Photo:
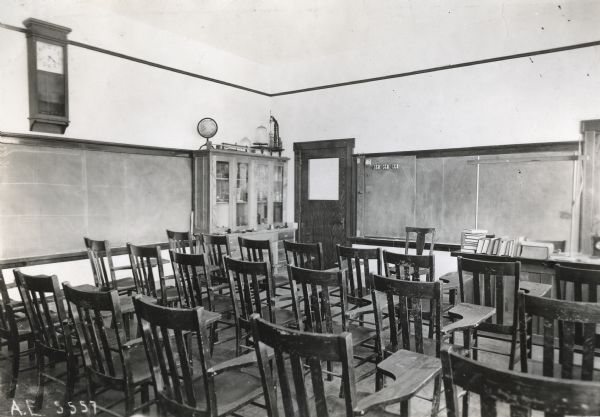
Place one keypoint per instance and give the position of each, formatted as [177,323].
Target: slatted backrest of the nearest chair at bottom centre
[294,351]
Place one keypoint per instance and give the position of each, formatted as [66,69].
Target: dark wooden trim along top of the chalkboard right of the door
[566,146]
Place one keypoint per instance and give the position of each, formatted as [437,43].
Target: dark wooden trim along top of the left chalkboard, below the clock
[90,145]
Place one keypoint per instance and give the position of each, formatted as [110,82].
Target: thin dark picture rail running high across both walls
[326,86]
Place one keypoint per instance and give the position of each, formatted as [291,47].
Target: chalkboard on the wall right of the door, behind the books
[509,194]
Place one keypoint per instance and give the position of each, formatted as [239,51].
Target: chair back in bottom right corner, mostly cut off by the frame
[556,397]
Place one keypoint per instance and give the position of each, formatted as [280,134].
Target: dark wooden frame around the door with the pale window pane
[348,145]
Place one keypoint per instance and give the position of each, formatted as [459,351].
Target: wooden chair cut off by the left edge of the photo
[14,330]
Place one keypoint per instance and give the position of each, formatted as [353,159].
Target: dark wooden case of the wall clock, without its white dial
[41,120]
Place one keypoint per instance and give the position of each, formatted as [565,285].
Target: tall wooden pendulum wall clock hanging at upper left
[48,76]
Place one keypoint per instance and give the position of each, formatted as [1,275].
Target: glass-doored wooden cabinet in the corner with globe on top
[241,193]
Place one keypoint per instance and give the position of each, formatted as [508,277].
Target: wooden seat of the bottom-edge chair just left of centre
[233,389]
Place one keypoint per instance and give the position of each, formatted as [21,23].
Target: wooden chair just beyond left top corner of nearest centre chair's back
[248,296]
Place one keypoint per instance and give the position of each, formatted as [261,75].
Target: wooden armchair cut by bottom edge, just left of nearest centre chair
[186,380]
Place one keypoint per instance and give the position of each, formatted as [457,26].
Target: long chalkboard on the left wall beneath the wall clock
[51,197]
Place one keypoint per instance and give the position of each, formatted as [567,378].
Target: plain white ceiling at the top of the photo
[273,32]
